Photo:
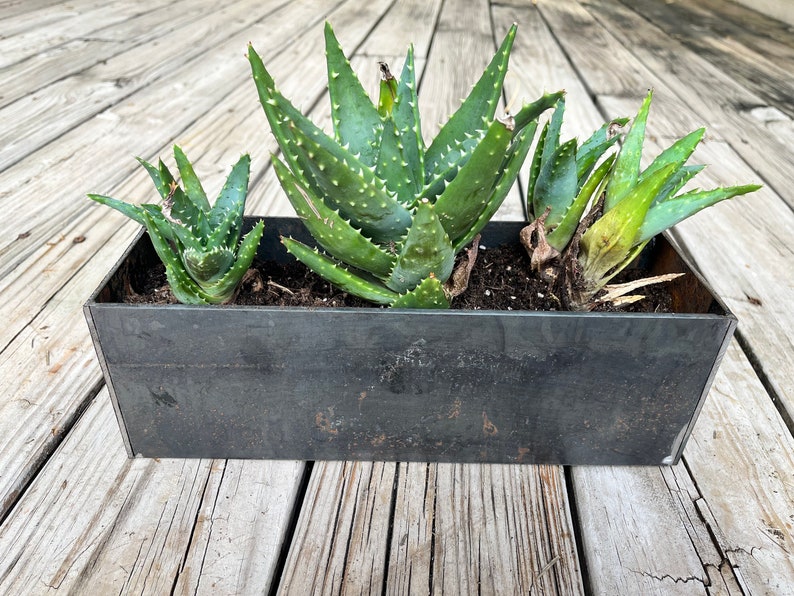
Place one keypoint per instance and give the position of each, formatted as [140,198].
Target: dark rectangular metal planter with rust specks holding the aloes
[401,385]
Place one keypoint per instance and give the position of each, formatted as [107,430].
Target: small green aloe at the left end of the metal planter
[200,246]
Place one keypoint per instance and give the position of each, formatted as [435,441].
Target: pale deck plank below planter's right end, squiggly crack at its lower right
[634,532]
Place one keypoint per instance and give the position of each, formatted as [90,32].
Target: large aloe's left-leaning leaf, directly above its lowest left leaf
[331,230]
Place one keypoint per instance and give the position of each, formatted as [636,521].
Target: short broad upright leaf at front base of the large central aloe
[426,250]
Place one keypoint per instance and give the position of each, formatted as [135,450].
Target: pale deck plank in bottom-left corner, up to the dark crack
[91,483]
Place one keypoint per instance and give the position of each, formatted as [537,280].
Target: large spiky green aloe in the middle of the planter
[388,212]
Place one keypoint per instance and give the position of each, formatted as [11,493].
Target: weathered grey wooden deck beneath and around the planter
[88,84]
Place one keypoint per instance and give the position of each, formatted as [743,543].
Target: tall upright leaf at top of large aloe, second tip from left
[356,121]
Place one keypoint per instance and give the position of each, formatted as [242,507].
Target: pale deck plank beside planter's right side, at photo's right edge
[740,441]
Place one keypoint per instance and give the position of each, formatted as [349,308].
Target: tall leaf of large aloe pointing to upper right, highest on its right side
[479,106]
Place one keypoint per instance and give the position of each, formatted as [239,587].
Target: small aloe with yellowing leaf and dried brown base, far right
[628,207]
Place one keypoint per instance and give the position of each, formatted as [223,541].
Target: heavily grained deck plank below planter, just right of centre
[501,530]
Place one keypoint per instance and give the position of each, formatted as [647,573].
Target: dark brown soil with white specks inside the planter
[500,281]
